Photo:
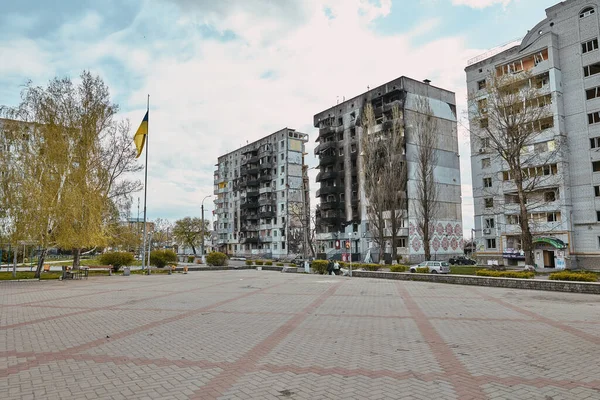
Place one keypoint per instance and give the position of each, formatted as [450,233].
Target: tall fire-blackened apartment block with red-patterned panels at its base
[341,215]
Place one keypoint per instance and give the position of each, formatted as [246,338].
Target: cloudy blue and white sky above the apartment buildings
[223,72]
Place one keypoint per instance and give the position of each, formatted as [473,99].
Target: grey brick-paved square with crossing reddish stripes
[266,335]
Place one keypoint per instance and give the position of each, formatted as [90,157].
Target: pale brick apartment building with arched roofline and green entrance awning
[560,57]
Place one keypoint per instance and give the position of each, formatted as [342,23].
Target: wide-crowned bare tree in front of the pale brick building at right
[509,118]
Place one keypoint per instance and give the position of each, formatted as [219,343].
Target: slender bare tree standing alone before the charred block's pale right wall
[424,136]
